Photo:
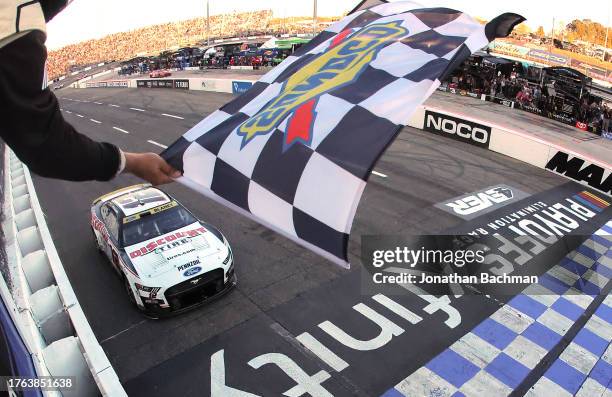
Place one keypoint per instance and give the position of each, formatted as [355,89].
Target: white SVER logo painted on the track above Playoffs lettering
[471,205]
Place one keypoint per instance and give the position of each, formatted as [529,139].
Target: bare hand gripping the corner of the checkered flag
[150,167]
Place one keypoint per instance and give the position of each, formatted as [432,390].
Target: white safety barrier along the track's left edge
[42,302]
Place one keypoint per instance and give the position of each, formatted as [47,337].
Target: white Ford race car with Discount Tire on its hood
[169,261]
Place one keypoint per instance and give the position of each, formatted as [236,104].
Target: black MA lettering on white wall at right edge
[582,171]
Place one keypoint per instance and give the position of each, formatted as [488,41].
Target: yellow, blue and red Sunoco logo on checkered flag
[347,56]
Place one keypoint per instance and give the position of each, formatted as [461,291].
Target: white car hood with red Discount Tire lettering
[174,254]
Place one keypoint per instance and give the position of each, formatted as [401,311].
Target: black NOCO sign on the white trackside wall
[458,129]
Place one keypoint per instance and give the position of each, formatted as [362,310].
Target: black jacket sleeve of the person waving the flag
[33,126]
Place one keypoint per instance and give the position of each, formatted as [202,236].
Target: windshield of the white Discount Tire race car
[154,225]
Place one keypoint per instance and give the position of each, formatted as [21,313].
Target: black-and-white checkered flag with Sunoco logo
[294,152]
